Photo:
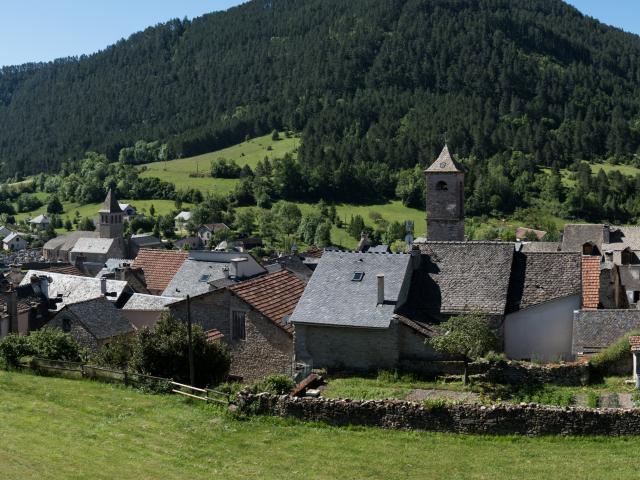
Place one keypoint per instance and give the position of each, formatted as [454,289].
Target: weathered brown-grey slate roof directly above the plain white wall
[539,277]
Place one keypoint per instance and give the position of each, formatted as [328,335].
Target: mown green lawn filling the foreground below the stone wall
[68,429]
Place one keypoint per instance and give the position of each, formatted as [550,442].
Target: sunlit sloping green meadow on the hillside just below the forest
[245,153]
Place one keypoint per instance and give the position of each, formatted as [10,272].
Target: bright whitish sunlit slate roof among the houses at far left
[73,289]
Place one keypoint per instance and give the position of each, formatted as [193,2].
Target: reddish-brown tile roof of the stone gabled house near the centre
[274,295]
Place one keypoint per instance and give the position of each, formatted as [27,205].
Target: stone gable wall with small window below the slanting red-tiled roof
[266,348]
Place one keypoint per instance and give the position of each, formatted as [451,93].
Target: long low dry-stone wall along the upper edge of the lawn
[500,419]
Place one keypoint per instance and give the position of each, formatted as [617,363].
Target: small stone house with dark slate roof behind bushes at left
[93,323]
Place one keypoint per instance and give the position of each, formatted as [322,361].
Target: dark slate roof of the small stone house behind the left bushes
[101,318]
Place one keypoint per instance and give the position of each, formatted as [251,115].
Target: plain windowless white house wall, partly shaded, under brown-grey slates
[543,332]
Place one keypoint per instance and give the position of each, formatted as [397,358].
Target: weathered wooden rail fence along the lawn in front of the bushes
[94,372]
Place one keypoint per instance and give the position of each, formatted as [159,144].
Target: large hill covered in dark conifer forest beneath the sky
[366,81]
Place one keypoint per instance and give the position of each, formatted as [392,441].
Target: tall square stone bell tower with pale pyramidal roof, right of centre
[445,199]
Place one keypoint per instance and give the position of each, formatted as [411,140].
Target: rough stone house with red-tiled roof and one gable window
[252,318]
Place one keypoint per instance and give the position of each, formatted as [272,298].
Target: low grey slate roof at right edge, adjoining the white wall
[594,330]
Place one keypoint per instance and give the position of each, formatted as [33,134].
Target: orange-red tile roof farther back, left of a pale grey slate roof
[159,266]
